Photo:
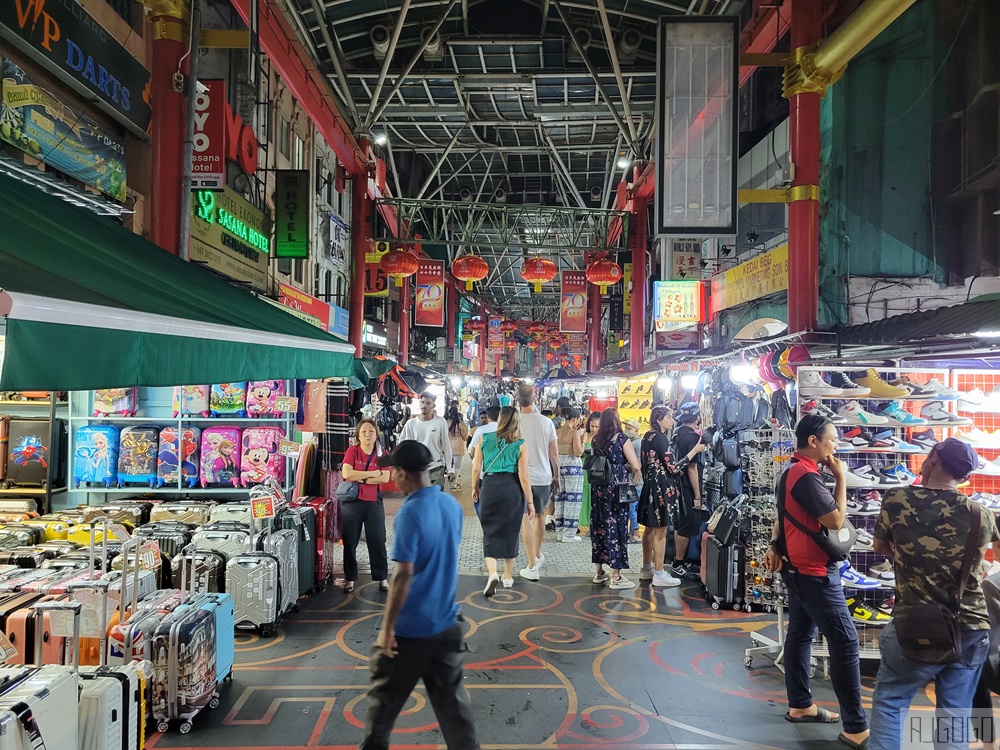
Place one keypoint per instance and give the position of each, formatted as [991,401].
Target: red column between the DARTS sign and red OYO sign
[171,25]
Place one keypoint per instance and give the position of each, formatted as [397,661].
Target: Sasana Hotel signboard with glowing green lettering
[230,236]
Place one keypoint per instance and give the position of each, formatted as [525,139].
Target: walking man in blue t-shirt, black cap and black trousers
[421,638]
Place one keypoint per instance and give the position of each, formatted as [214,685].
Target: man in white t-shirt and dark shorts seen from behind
[543,474]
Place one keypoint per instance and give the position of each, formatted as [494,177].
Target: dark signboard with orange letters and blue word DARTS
[62,37]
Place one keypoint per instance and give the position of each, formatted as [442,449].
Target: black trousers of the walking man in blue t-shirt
[438,661]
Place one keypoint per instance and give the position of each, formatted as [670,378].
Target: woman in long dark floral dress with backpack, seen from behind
[610,496]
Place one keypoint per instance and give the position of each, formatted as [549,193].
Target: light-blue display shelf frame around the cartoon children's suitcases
[155,408]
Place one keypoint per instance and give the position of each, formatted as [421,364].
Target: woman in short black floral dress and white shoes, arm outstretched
[659,502]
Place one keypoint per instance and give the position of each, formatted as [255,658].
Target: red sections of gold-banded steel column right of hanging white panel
[803,215]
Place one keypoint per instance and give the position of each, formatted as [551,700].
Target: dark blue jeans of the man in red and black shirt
[817,603]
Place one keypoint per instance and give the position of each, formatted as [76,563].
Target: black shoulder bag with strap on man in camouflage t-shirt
[930,633]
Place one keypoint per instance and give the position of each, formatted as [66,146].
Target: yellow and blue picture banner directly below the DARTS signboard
[33,120]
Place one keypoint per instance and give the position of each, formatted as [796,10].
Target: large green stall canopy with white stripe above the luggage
[89,304]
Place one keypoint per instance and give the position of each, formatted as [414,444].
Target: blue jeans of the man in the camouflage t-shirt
[899,679]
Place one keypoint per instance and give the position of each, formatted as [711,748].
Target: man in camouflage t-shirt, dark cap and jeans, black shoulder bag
[940,630]
